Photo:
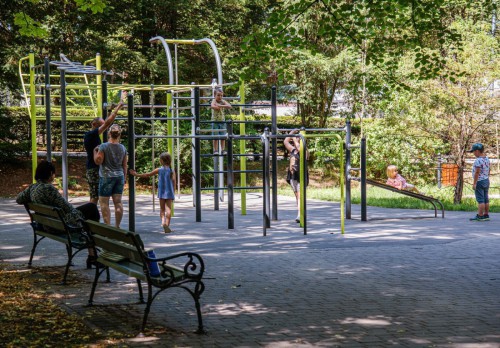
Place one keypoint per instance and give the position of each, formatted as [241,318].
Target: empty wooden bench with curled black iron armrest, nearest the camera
[124,252]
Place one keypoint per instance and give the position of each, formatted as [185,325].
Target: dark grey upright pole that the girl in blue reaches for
[131,160]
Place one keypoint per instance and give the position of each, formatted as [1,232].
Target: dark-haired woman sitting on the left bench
[43,192]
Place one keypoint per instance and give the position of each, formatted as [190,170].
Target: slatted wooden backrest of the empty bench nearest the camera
[121,242]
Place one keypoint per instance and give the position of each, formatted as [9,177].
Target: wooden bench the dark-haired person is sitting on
[48,222]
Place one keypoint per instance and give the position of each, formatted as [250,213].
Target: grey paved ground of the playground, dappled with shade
[402,279]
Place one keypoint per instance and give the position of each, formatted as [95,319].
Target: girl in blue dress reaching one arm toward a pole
[166,188]
